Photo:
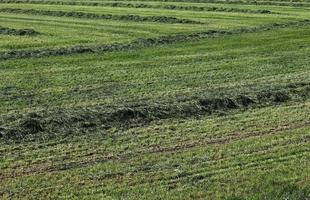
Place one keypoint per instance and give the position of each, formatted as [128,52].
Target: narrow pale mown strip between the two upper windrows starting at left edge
[203,17]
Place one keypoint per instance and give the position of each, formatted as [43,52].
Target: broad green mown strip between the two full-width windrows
[50,80]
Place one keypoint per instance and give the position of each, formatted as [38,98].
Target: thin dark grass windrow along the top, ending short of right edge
[142,5]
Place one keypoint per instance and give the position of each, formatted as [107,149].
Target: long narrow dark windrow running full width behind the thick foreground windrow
[142,43]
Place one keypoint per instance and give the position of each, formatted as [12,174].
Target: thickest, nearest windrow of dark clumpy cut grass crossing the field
[63,122]
